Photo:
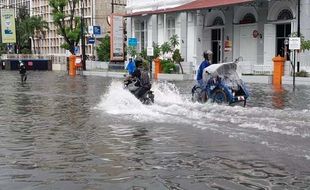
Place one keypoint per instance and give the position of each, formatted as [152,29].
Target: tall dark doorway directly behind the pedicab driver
[216,42]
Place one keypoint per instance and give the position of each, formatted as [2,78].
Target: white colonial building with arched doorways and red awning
[255,30]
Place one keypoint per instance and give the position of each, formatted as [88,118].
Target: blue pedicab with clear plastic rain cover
[221,85]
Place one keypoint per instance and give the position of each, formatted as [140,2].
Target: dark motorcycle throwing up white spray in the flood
[132,84]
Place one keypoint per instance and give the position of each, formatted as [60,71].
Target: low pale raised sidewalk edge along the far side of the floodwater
[261,79]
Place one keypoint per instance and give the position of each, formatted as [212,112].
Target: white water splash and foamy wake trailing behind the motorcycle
[265,126]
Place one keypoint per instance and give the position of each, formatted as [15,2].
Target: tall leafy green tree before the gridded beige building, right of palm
[69,25]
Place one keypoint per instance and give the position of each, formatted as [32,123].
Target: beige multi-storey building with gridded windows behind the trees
[96,13]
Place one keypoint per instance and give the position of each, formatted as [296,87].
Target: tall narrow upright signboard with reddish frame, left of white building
[117,38]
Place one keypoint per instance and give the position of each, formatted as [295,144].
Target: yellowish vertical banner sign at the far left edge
[8,26]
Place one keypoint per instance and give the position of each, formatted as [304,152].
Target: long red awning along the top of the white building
[194,5]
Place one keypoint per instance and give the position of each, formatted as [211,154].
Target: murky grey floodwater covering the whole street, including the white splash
[88,133]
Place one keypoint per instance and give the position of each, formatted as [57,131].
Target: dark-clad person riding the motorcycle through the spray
[143,79]
